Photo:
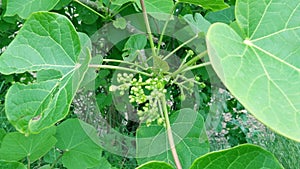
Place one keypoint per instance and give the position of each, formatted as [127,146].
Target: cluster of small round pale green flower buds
[147,93]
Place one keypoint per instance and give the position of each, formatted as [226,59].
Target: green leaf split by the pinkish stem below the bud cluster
[189,137]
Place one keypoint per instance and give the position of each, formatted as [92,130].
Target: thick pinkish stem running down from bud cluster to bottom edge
[169,133]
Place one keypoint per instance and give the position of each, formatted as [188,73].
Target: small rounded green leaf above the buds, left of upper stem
[133,45]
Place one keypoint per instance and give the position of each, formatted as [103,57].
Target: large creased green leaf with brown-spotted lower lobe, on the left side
[48,44]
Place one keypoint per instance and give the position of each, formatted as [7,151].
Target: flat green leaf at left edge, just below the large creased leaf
[16,146]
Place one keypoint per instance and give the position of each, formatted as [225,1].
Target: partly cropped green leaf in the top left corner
[25,8]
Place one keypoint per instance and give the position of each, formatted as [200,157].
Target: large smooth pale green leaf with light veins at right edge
[262,68]
